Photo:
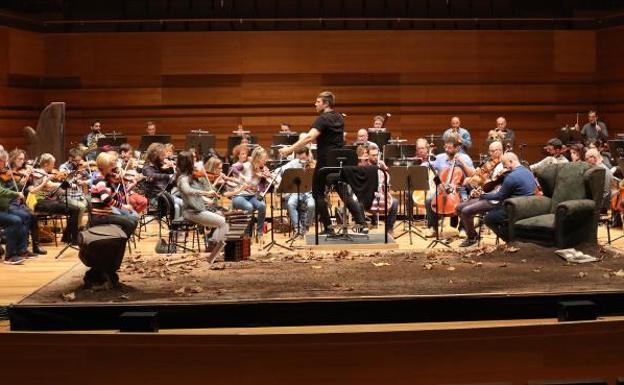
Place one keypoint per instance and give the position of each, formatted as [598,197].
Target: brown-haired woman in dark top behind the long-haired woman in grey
[159,178]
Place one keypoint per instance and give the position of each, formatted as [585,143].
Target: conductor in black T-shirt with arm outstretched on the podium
[328,132]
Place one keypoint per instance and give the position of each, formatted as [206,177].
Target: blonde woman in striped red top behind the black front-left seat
[105,198]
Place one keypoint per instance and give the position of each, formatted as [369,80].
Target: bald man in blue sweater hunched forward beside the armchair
[518,182]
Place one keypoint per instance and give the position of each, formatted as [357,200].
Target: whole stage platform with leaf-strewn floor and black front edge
[304,287]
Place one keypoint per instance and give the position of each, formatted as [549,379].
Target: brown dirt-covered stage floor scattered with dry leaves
[186,278]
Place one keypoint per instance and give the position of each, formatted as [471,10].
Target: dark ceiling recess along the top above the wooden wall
[245,15]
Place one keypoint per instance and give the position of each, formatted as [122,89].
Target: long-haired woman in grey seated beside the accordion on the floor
[194,209]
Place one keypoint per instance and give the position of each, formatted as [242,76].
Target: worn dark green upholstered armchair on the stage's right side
[567,214]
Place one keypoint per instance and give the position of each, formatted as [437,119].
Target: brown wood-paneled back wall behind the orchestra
[216,80]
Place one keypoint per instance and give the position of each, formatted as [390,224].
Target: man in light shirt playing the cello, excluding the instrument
[462,164]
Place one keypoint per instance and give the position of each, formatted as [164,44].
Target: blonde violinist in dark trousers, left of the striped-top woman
[50,197]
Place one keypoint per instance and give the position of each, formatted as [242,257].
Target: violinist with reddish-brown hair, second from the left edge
[21,175]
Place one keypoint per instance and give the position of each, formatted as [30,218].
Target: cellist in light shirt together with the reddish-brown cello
[451,167]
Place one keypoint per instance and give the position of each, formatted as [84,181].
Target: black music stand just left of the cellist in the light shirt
[410,179]
